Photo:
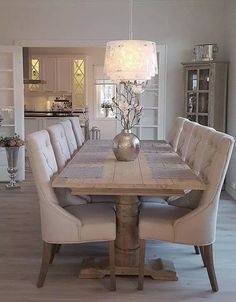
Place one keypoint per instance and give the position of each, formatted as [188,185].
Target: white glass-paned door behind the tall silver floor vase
[11,104]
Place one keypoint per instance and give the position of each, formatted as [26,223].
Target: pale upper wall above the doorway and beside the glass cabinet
[180,24]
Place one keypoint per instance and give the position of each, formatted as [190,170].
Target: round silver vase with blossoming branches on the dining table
[127,109]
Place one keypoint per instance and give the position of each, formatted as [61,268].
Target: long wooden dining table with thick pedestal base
[157,171]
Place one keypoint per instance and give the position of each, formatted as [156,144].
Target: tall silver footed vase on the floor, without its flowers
[12,159]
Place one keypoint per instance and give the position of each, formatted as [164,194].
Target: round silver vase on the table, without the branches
[126,146]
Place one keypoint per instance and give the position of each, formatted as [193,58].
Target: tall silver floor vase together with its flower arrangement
[12,145]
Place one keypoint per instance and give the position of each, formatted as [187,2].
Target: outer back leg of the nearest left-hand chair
[47,252]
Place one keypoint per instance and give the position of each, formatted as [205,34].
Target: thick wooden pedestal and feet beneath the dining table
[127,248]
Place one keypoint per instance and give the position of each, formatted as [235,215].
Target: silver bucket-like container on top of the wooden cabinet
[205,52]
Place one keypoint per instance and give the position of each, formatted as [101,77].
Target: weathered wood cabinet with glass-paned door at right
[205,93]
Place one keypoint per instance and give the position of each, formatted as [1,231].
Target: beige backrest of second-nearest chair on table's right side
[197,146]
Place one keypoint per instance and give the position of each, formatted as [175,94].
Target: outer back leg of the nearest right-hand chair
[208,256]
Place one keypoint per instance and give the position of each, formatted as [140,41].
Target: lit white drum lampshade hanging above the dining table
[130,60]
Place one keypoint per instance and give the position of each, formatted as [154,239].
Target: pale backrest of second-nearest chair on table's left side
[59,144]
